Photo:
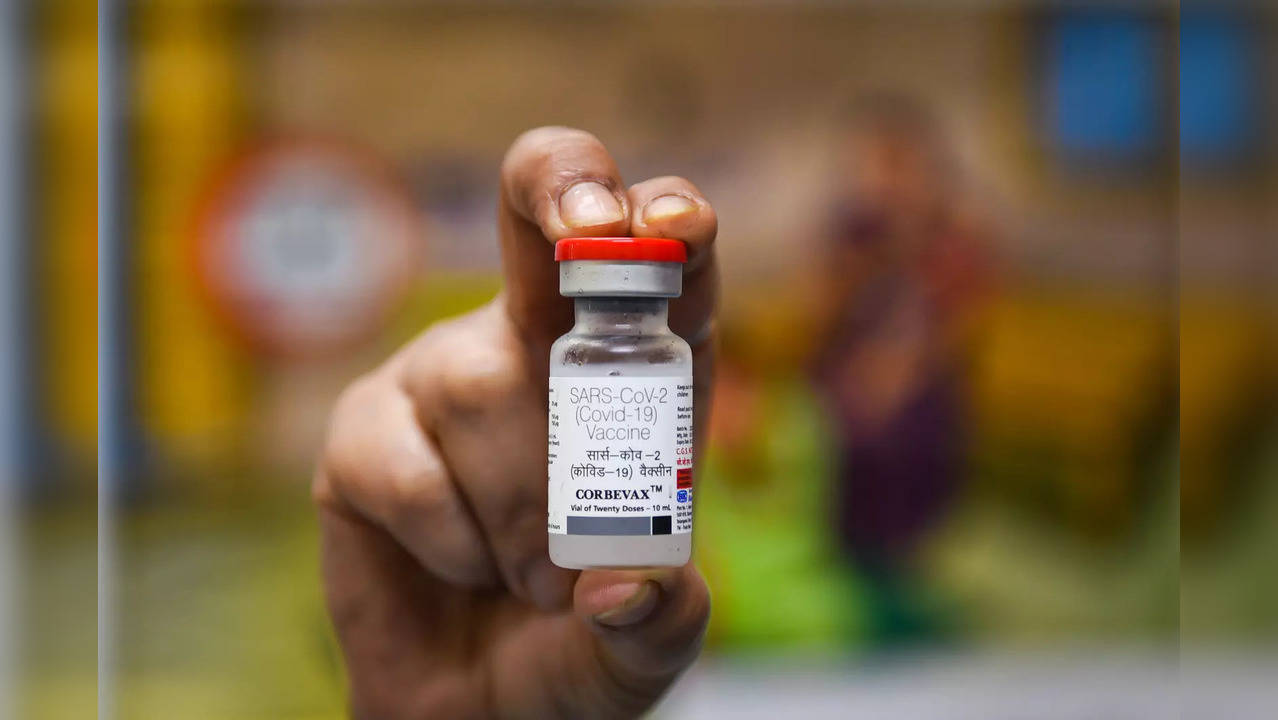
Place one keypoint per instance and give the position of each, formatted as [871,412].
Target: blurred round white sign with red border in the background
[306,247]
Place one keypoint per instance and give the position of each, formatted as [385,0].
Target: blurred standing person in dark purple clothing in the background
[903,273]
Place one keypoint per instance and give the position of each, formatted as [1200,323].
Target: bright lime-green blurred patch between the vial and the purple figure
[766,545]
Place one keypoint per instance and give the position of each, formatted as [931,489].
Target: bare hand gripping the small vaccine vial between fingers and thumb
[431,488]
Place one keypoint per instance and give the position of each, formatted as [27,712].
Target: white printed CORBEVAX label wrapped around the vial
[620,456]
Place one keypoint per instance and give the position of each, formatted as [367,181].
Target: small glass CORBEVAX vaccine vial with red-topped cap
[620,447]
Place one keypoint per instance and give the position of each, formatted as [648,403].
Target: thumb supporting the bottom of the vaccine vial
[647,626]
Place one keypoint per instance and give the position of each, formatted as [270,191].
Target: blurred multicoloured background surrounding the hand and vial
[995,429]
